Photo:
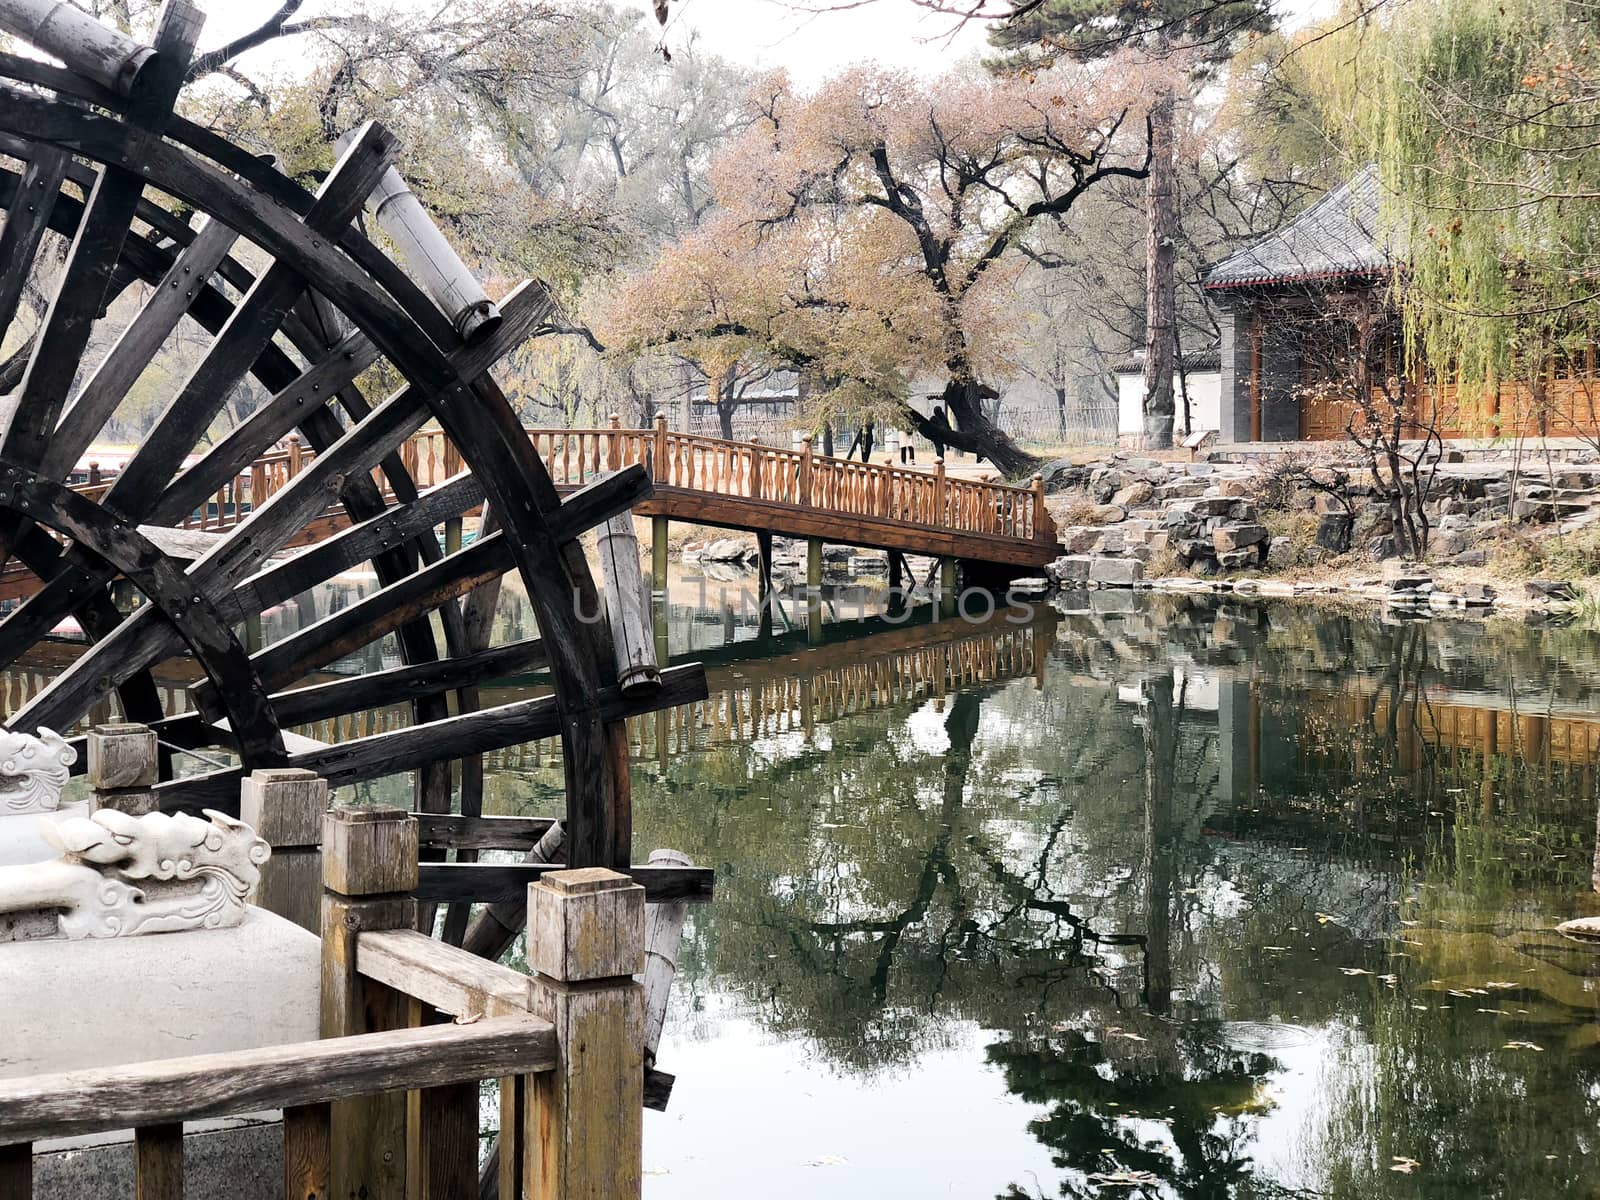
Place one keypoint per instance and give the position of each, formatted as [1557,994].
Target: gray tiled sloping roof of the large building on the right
[1337,236]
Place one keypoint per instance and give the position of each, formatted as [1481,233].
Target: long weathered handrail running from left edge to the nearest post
[76,1103]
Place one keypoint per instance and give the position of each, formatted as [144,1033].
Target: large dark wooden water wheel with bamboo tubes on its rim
[153,202]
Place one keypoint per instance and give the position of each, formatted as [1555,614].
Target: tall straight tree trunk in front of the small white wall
[1161,281]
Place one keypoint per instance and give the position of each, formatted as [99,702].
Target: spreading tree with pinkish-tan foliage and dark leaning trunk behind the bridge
[881,222]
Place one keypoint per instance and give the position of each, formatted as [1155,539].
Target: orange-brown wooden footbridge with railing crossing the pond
[702,481]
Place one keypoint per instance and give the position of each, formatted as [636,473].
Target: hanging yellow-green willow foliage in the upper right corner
[1484,127]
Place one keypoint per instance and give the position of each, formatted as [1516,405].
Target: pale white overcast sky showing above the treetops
[762,33]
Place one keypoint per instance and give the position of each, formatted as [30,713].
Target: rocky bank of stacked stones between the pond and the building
[1298,526]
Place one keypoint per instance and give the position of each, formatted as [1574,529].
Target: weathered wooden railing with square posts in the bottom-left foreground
[386,1106]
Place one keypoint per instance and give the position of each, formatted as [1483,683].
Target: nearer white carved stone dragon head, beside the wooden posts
[122,876]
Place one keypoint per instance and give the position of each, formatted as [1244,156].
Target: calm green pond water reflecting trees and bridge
[1143,898]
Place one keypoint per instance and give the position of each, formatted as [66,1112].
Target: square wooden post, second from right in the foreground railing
[370,865]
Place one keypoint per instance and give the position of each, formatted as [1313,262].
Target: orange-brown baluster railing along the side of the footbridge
[730,470]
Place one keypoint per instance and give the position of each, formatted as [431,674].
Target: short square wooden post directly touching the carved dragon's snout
[287,807]
